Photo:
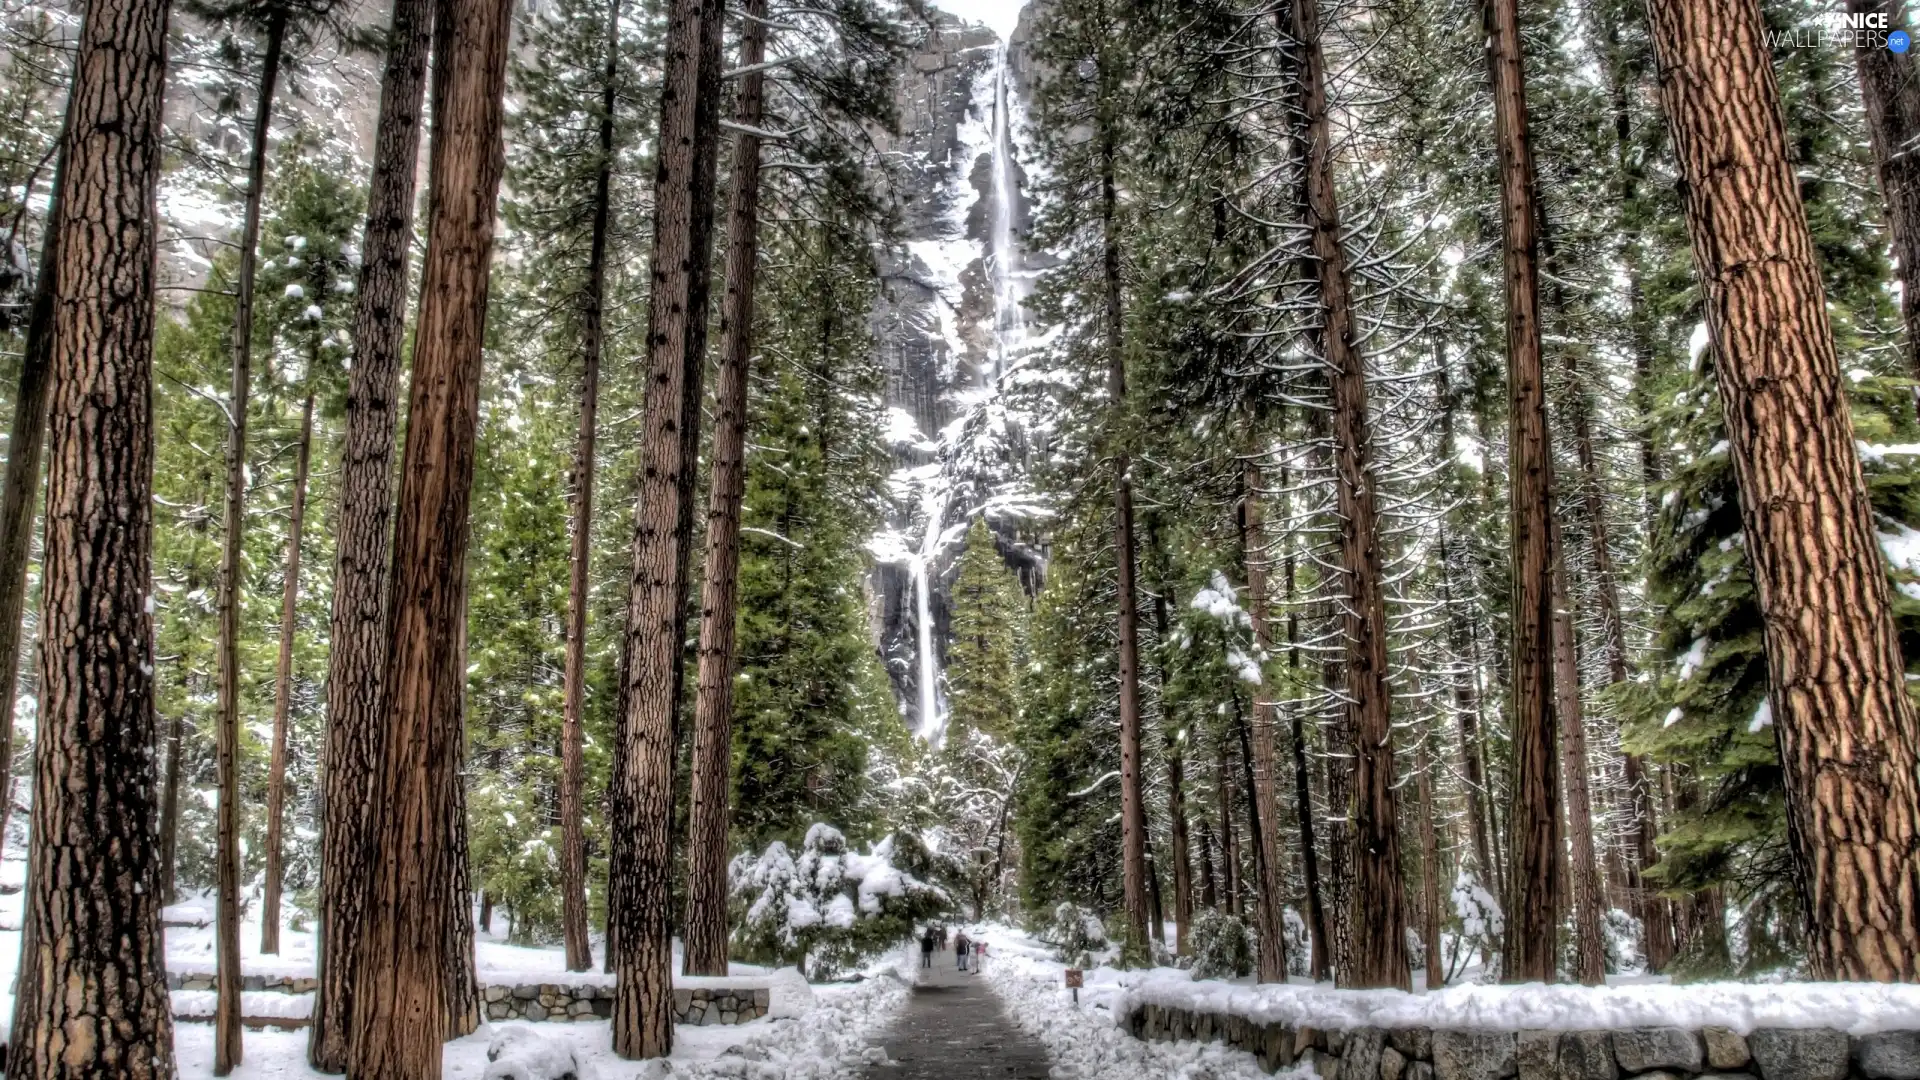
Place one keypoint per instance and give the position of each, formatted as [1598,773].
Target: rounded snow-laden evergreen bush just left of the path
[830,908]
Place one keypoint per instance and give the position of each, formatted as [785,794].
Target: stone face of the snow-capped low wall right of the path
[1643,1054]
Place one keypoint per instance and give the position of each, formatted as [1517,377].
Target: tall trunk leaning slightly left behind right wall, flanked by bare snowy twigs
[1378,918]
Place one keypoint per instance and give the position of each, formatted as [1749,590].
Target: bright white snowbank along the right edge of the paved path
[1086,1041]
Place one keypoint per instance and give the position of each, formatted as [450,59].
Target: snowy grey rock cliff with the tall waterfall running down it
[953,337]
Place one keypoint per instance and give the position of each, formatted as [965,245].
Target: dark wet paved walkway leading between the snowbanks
[955,1029]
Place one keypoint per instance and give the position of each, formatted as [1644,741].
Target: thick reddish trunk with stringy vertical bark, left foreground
[412,985]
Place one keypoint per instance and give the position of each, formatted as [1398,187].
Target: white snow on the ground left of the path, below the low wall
[832,1041]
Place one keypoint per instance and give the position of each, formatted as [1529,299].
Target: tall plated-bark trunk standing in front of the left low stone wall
[677,318]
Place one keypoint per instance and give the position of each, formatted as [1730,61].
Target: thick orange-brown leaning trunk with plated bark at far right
[1836,679]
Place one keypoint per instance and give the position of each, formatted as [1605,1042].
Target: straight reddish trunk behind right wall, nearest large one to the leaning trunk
[1535,827]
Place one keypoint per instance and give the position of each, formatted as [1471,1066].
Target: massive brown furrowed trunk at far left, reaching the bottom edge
[91,994]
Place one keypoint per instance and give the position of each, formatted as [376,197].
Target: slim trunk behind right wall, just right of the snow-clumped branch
[1270,920]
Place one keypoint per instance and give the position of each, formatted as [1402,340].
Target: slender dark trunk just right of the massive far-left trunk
[228,1048]
